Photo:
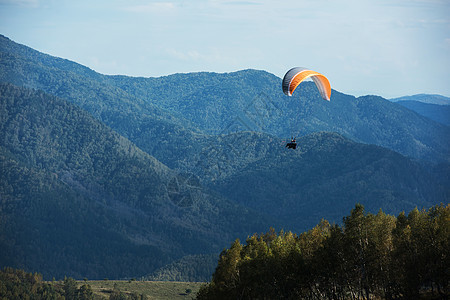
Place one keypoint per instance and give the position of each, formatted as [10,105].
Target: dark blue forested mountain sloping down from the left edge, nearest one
[78,199]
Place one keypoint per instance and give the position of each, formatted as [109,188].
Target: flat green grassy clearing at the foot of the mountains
[160,290]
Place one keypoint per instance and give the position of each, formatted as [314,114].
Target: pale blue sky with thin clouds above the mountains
[389,48]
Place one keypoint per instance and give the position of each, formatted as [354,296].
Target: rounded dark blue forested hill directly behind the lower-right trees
[323,178]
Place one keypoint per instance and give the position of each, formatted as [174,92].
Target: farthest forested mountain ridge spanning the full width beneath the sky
[185,107]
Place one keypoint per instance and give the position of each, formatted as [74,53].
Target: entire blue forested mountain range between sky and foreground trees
[116,176]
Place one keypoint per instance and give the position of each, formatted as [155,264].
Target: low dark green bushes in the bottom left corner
[18,284]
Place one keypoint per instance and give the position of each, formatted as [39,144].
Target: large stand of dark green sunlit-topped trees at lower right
[369,257]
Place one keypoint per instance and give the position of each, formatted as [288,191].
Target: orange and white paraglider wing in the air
[295,76]
